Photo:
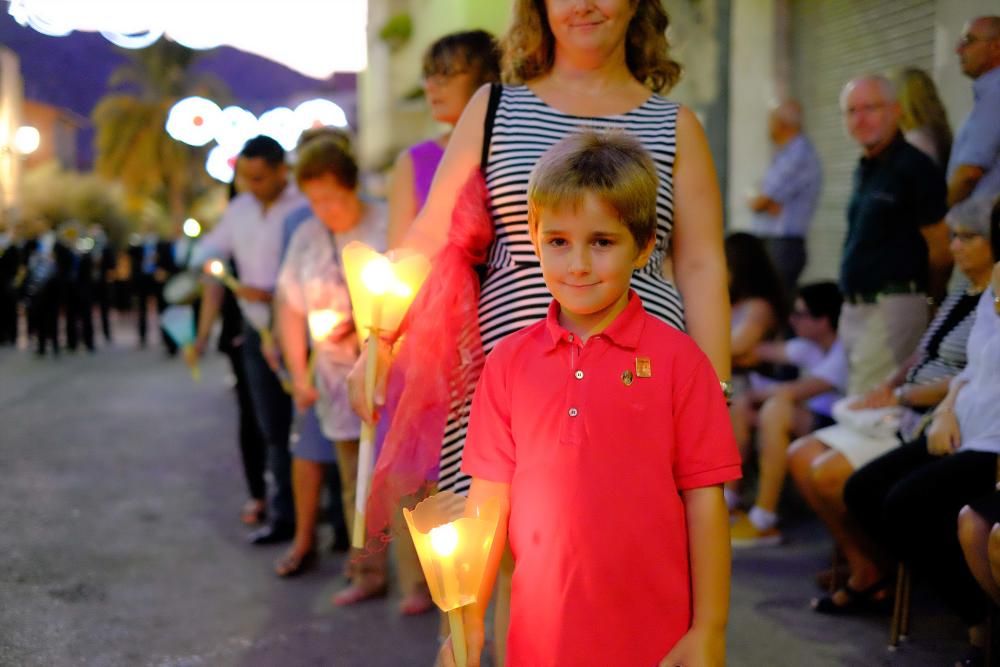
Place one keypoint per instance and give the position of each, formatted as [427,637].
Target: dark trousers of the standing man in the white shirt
[273,408]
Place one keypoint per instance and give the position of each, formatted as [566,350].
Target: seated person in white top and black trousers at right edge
[907,501]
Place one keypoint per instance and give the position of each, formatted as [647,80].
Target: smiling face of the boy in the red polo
[587,258]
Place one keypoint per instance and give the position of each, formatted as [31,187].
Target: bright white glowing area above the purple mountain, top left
[332,38]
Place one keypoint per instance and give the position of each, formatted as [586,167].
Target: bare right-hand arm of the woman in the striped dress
[698,260]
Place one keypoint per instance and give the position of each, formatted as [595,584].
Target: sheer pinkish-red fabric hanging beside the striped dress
[442,339]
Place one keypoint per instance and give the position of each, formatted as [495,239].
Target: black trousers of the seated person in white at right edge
[908,501]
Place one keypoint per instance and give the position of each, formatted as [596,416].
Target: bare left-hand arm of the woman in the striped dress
[429,231]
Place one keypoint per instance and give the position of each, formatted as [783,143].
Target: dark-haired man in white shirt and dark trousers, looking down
[250,233]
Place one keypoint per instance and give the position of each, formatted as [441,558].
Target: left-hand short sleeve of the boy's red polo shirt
[489,452]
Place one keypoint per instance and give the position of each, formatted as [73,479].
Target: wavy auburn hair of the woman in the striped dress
[529,46]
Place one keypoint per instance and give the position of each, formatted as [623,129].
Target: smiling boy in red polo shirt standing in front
[605,434]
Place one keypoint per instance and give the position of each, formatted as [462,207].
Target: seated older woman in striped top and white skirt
[821,463]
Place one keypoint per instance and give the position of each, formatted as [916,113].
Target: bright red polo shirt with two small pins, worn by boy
[595,463]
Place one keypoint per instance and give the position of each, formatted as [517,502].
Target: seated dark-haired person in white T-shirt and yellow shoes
[783,410]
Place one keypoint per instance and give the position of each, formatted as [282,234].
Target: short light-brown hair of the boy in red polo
[612,166]
